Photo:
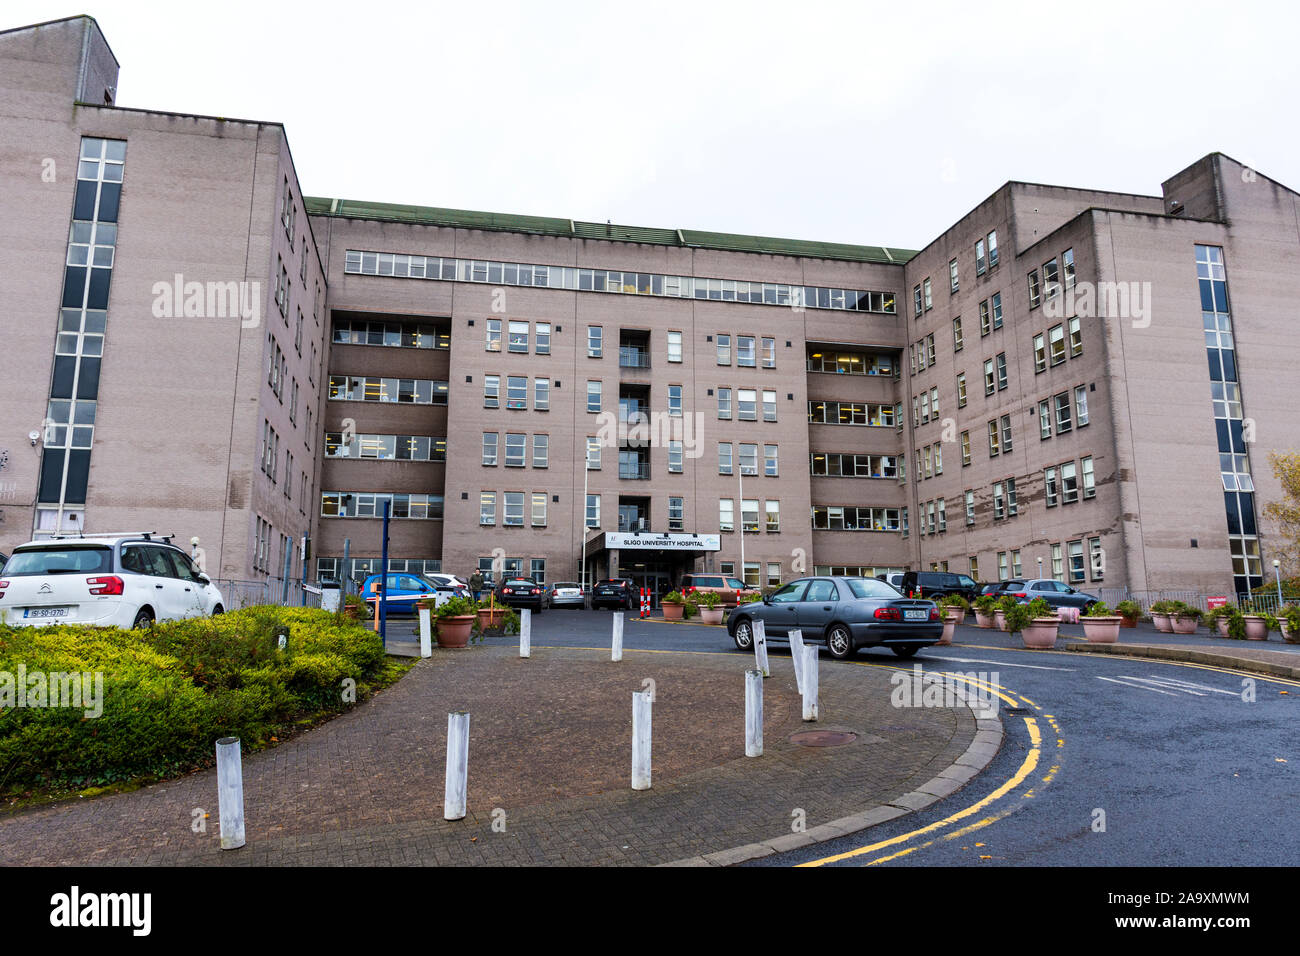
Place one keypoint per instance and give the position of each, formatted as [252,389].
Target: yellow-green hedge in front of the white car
[172,691]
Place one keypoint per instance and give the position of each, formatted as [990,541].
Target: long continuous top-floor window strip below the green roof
[605,282]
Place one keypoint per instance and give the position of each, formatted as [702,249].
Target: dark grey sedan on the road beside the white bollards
[843,613]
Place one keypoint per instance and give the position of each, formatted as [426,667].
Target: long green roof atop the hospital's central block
[612,232]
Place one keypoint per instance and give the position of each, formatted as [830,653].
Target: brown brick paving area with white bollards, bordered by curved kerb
[551,751]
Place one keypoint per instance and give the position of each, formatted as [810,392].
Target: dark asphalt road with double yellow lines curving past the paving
[1107,762]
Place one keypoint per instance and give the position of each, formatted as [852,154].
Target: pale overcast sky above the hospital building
[853,123]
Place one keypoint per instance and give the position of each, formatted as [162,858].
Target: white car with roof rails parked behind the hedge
[109,581]
